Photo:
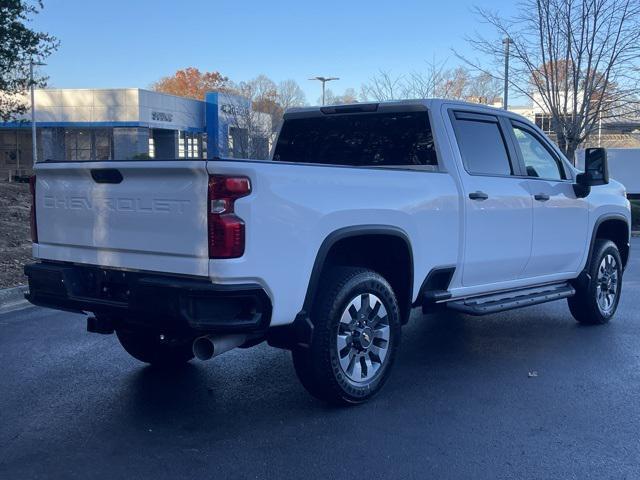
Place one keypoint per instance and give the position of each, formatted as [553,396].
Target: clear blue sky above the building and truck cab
[133,43]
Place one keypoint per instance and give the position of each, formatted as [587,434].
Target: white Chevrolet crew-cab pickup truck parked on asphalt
[364,212]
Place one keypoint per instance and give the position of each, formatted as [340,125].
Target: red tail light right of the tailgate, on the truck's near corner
[226,229]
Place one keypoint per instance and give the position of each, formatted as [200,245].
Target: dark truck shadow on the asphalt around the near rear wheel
[450,354]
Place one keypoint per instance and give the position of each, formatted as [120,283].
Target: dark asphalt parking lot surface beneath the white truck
[464,401]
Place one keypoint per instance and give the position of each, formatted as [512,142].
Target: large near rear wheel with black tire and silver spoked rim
[319,367]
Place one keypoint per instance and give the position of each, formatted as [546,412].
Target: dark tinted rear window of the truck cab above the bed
[385,139]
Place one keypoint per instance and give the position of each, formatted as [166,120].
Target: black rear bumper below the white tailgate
[149,299]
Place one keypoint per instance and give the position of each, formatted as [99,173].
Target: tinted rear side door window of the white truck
[482,144]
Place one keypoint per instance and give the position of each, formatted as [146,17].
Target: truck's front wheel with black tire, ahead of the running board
[585,305]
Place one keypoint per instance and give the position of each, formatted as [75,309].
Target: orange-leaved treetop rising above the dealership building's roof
[192,83]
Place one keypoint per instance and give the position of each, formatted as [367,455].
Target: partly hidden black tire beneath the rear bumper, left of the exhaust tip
[149,348]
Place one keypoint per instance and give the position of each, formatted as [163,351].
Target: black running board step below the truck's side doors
[499,302]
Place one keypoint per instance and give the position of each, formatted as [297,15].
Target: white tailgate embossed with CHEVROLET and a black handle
[142,215]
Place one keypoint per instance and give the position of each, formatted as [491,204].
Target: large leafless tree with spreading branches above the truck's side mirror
[576,60]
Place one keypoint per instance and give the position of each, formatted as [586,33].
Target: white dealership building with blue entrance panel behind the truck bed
[133,124]
